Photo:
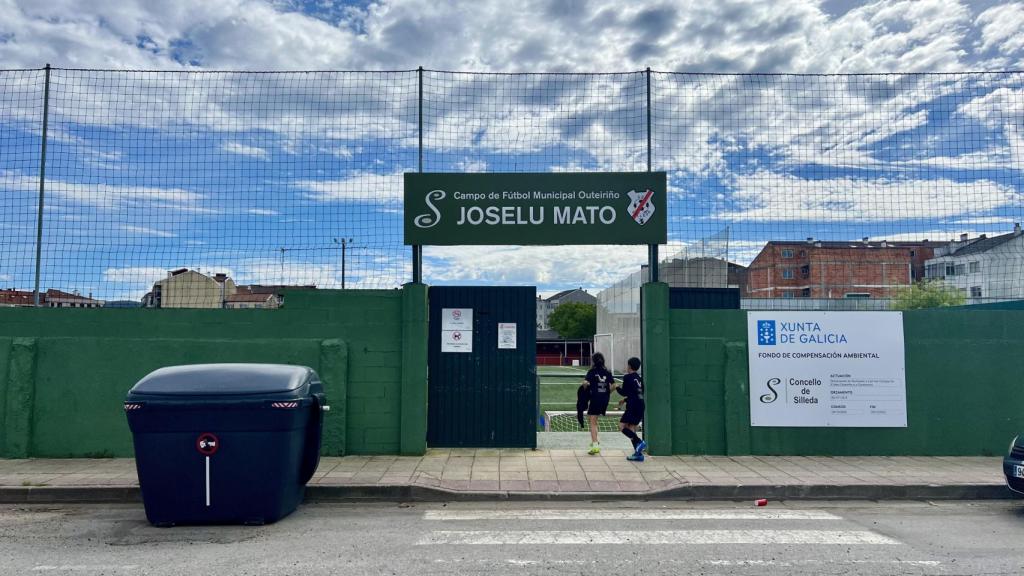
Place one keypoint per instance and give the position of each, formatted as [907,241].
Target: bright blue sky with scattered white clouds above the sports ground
[262,176]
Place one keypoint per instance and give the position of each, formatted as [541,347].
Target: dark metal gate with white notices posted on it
[486,398]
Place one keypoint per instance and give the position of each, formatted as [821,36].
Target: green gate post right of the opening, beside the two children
[657,367]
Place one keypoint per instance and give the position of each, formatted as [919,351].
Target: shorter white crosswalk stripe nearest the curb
[621,514]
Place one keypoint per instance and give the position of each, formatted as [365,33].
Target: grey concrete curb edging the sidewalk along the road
[415,493]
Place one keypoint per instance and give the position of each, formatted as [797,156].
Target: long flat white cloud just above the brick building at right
[766,196]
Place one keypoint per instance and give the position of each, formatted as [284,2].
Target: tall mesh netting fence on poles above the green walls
[220,189]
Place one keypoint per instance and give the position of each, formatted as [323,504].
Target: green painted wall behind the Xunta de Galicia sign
[965,379]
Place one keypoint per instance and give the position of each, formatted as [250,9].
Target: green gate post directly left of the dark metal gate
[414,369]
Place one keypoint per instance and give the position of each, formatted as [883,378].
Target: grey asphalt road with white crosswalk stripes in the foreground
[848,539]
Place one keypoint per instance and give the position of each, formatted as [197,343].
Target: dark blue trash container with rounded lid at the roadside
[226,443]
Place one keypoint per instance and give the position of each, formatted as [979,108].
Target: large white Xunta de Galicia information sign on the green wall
[827,369]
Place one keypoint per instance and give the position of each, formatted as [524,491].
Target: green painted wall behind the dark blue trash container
[65,373]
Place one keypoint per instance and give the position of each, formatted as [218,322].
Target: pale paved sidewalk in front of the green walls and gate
[514,474]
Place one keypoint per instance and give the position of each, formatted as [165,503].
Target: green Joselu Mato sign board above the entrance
[447,210]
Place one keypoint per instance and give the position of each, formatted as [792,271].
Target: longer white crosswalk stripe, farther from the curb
[488,538]
